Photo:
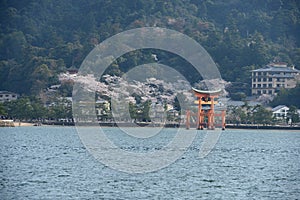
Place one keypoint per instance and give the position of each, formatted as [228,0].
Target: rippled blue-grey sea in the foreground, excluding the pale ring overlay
[52,163]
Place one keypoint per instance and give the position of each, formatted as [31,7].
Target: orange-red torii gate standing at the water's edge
[206,98]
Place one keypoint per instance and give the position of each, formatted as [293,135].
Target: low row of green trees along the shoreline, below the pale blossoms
[33,109]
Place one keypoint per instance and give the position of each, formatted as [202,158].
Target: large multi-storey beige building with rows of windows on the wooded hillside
[271,78]
